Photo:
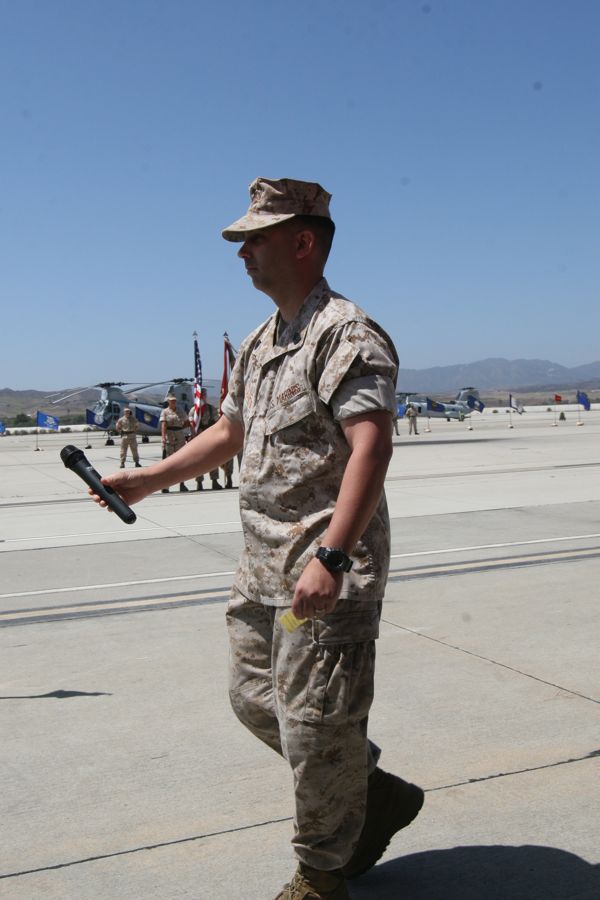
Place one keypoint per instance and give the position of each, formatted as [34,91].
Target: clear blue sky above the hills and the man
[460,140]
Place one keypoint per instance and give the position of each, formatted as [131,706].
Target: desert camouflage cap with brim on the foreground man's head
[275,200]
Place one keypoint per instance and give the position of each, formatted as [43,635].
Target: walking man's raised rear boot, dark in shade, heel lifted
[392,804]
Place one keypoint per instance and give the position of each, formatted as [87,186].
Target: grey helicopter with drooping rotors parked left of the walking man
[113,400]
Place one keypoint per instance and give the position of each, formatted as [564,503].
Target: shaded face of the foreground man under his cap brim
[270,258]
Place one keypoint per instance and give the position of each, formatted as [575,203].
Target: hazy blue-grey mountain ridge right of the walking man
[500,374]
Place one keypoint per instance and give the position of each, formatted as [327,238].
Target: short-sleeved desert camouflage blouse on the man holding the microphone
[290,388]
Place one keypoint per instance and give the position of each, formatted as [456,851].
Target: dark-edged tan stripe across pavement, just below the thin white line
[220,595]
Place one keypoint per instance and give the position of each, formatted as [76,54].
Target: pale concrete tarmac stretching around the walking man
[125,774]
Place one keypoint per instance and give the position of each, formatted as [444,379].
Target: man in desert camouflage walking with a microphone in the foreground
[311,400]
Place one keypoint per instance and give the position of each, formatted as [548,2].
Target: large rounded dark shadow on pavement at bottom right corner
[482,873]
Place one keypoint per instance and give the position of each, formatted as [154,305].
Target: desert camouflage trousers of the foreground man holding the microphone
[307,695]
